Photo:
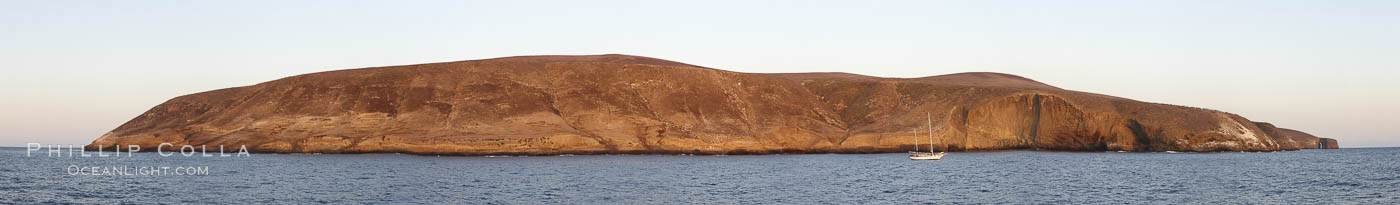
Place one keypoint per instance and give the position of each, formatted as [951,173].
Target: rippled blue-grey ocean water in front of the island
[1345,176]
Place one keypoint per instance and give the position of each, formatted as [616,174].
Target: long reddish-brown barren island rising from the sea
[633,105]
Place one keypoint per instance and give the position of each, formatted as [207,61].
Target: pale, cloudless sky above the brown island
[73,71]
